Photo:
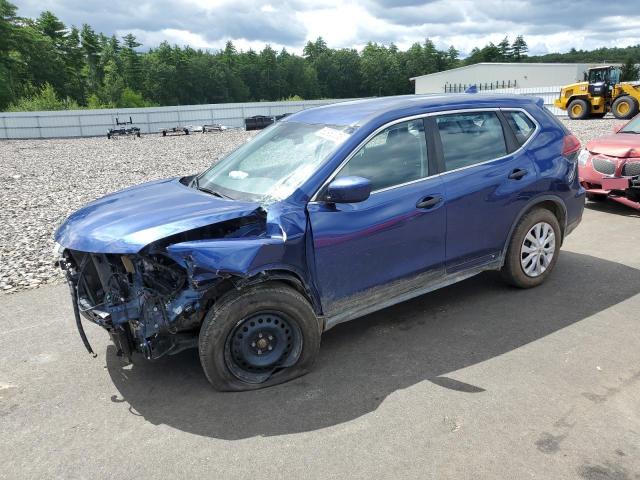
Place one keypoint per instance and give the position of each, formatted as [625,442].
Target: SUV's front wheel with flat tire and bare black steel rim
[282,315]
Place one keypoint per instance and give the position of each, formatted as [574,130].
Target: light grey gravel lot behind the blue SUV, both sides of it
[43,181]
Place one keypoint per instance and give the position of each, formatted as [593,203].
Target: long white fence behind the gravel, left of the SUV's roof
[88,123]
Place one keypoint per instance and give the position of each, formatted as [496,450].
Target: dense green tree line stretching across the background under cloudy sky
[46,65]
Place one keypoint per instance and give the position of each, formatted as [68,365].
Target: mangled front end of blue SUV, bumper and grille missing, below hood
[143,301]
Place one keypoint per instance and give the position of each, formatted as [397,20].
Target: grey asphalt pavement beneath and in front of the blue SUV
[474,381]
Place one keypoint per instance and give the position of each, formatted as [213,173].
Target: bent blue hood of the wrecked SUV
[129,220]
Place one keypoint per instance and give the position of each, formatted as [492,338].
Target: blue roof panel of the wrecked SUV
[359,112]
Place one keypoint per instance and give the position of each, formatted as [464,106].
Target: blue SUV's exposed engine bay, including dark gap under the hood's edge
[150,302]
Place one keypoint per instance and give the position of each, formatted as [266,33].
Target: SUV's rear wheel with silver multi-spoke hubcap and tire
[533,249]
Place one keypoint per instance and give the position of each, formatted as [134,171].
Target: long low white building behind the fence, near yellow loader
[501,75]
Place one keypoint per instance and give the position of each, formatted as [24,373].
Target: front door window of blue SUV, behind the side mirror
[394,156]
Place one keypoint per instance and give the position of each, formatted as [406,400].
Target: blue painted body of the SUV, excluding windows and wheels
[346,252]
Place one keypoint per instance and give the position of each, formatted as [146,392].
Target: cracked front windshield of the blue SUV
[273,164]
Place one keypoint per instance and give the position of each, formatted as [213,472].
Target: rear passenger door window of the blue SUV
[470,138]
